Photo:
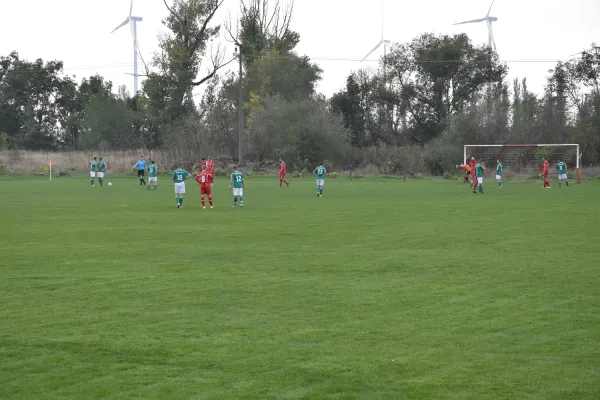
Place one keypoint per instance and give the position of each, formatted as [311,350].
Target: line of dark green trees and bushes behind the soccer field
[427,98]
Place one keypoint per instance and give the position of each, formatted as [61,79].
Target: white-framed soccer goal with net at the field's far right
[525,160]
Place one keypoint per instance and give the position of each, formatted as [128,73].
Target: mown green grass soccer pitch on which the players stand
[382,289]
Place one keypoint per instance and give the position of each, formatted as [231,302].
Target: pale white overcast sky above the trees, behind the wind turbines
[531,35]
